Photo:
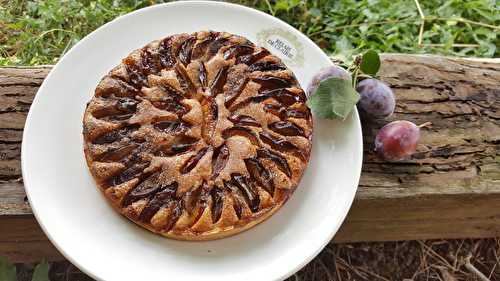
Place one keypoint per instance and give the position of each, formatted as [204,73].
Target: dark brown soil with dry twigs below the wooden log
[443,260]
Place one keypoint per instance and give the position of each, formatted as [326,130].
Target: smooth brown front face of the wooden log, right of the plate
[423,217]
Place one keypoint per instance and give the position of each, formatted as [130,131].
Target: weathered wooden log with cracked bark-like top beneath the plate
[449,189]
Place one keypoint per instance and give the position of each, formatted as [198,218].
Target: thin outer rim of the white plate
[289,271]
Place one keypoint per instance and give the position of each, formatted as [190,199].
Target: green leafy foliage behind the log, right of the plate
[345,27]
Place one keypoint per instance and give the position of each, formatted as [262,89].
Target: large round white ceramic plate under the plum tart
[105,245]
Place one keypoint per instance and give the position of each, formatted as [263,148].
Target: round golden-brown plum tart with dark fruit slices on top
[198,136]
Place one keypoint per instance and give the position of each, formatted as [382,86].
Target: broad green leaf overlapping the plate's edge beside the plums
[334,98]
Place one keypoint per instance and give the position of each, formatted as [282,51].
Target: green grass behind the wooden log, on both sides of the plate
[39,32]
